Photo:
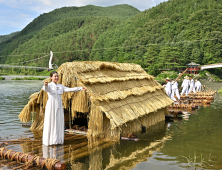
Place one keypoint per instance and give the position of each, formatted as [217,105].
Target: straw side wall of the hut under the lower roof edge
[132,126]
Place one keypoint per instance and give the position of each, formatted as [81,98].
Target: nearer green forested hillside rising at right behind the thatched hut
[153,36]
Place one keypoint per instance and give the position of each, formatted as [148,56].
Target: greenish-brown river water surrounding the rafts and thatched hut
[192,142]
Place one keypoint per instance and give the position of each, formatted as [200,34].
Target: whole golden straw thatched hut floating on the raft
[120,98]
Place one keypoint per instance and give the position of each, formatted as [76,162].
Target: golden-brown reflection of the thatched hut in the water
[125,154]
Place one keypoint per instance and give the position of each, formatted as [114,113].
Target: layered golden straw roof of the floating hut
[123,91]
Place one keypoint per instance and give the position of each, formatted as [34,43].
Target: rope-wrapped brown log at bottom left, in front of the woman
[21,156]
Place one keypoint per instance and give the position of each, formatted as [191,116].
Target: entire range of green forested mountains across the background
[171,34]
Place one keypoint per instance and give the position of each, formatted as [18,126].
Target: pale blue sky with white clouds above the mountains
[16,14]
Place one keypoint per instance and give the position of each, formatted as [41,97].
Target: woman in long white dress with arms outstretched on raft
[53,130]
